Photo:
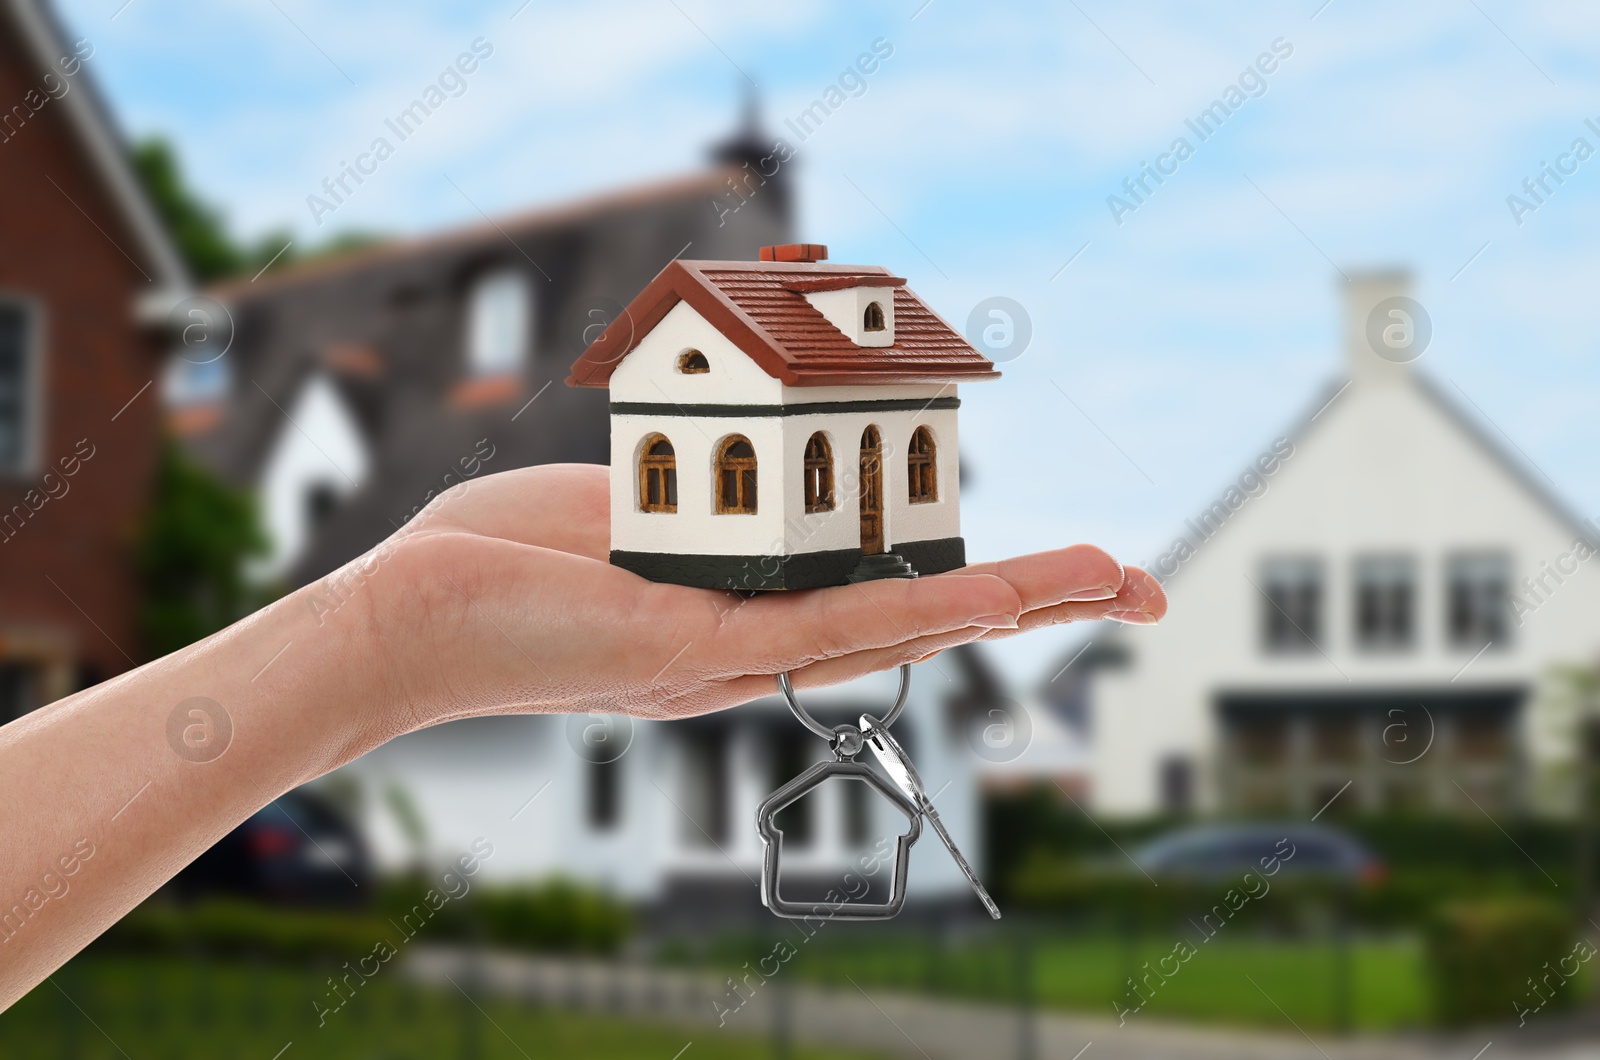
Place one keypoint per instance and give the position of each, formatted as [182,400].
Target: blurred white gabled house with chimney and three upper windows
[1380,606]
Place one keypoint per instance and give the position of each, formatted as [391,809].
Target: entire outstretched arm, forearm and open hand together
[497,600]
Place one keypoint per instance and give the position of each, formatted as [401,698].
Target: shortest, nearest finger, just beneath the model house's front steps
[793,630]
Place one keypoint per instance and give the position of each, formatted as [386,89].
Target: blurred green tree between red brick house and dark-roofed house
[194,544]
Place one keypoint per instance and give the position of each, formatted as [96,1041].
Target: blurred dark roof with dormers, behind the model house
[361,387]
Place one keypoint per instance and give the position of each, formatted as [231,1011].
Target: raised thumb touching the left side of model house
[558,507]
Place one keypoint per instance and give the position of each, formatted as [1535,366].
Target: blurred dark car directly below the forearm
[295,851]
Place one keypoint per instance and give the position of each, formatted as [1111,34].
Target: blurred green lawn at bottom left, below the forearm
[174,1010]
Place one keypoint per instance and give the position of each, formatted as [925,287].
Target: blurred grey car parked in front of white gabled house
[1218,851]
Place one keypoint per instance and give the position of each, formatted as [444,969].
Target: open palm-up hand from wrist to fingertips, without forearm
[500,598]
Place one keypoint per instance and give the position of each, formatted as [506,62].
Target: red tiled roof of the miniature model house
[761,307]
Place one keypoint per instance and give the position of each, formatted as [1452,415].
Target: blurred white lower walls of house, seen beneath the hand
[665,813]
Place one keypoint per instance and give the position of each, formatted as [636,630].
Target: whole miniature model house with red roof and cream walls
[782,425]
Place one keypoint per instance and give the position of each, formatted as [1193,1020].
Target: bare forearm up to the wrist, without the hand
[111,792]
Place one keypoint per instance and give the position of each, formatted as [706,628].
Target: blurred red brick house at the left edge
[87,276]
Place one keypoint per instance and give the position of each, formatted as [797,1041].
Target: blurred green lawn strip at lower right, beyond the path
[1382,981]
